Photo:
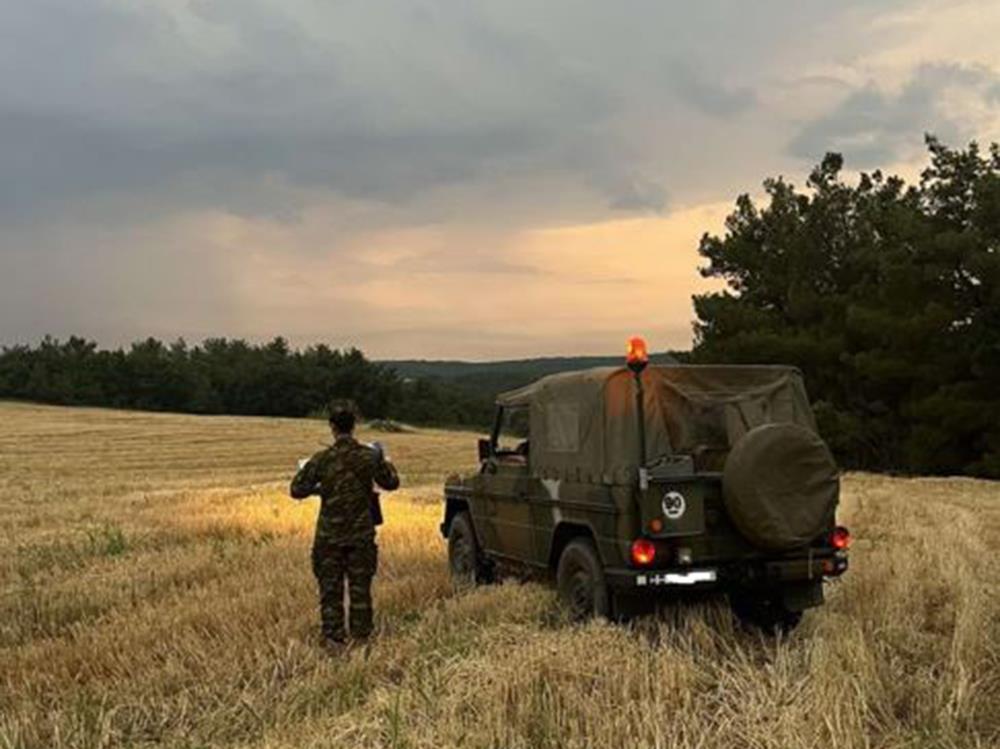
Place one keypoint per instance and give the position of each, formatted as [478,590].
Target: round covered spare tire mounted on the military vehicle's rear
[780,486]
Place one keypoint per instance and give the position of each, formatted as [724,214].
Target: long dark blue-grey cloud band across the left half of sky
[48,158]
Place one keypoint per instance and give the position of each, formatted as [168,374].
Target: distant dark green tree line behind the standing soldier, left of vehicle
[224,376]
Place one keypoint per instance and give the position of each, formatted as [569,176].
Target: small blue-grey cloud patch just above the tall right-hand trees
[873,127]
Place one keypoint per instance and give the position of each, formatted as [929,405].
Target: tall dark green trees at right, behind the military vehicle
[886,295]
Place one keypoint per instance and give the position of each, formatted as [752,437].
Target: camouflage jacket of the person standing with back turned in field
[343,476]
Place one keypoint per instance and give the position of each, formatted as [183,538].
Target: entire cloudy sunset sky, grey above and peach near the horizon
[435,179]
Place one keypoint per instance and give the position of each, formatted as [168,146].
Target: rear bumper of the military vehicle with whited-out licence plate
[750,573]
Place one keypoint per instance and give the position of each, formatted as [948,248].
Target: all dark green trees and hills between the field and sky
[886,296]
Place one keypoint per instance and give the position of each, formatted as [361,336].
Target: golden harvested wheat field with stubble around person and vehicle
[156,590]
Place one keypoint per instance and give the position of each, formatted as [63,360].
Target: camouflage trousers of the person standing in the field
[355,562]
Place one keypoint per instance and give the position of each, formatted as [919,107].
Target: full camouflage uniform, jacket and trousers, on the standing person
[344,545]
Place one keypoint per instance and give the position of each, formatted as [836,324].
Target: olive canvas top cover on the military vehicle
[583,424]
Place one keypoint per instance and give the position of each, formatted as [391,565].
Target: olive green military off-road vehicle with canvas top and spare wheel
[631,484]
